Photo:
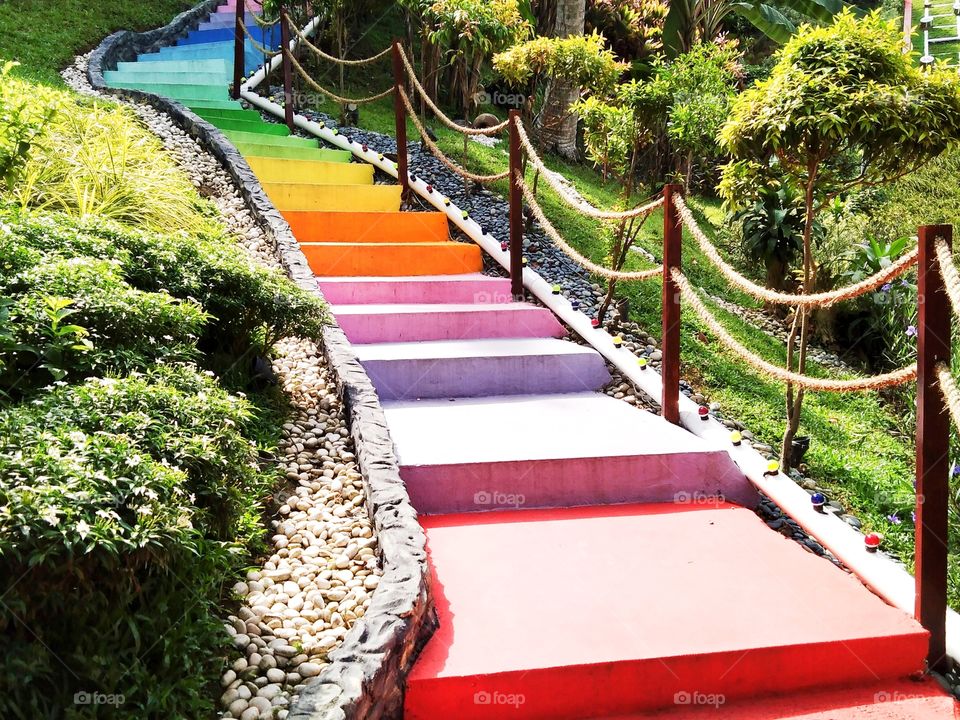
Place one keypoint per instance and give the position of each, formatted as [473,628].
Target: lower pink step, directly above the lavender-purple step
[409,323]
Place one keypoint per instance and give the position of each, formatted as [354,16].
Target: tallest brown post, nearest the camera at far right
[933,438]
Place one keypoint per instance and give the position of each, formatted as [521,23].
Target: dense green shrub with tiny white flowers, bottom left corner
[126,506]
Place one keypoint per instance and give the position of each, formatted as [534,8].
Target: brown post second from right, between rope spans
[670,303]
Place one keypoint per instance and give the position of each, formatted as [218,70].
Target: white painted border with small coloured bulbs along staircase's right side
[884,575]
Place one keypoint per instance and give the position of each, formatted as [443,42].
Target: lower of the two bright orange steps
[392,259]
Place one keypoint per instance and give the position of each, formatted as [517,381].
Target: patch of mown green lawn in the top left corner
[45,35]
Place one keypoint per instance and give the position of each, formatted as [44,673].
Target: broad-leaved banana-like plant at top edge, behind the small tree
[691,21]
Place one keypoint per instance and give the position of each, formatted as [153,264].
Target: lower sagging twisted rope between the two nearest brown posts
[874,382]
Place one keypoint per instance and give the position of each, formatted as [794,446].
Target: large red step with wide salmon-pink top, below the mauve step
[602,612]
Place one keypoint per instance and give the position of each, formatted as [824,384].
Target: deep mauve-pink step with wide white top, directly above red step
[555,451]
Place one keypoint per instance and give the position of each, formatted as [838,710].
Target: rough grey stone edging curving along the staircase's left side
[365,678]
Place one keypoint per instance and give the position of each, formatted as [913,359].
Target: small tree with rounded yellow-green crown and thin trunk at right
[844,108]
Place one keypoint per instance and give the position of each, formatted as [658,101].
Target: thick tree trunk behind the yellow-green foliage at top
[556,126]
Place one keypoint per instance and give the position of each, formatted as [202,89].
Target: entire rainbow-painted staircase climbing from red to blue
[589,560]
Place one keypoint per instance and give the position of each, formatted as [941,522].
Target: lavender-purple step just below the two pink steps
[477,368]
